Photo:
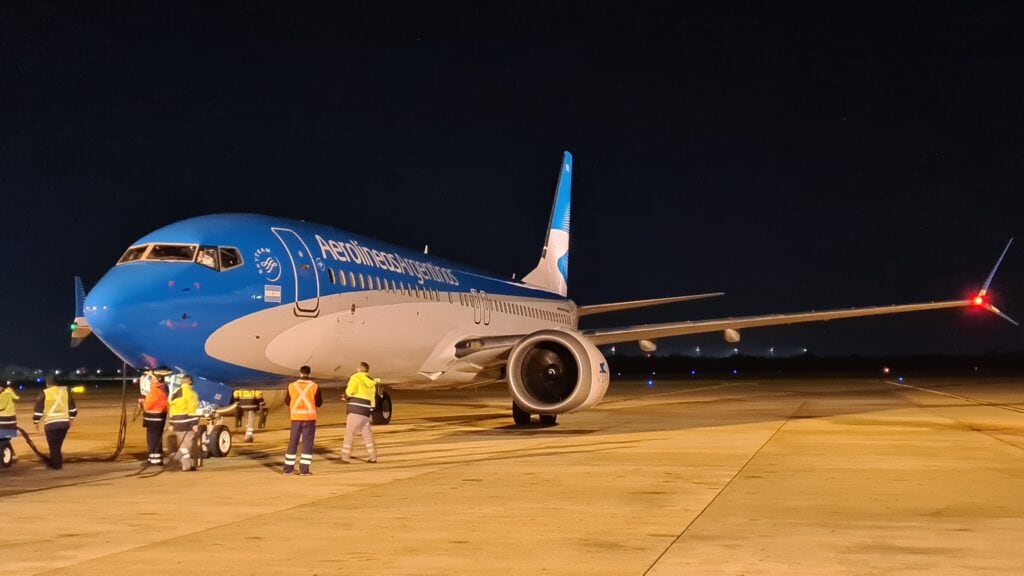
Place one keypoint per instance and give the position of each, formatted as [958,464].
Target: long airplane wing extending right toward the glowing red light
[653,332]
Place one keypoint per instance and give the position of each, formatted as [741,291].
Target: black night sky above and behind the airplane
[797,157]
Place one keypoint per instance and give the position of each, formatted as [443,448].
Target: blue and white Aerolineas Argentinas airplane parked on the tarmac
[245,300]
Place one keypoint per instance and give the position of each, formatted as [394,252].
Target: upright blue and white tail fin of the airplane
[552,272]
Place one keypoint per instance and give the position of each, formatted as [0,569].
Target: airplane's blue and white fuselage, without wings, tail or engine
[247,300]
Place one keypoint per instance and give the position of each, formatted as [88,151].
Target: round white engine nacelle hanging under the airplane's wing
[556,373]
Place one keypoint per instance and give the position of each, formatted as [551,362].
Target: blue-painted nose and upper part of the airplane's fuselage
[178,285]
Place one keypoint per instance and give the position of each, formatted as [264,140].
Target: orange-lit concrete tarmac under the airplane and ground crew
[687,477]
